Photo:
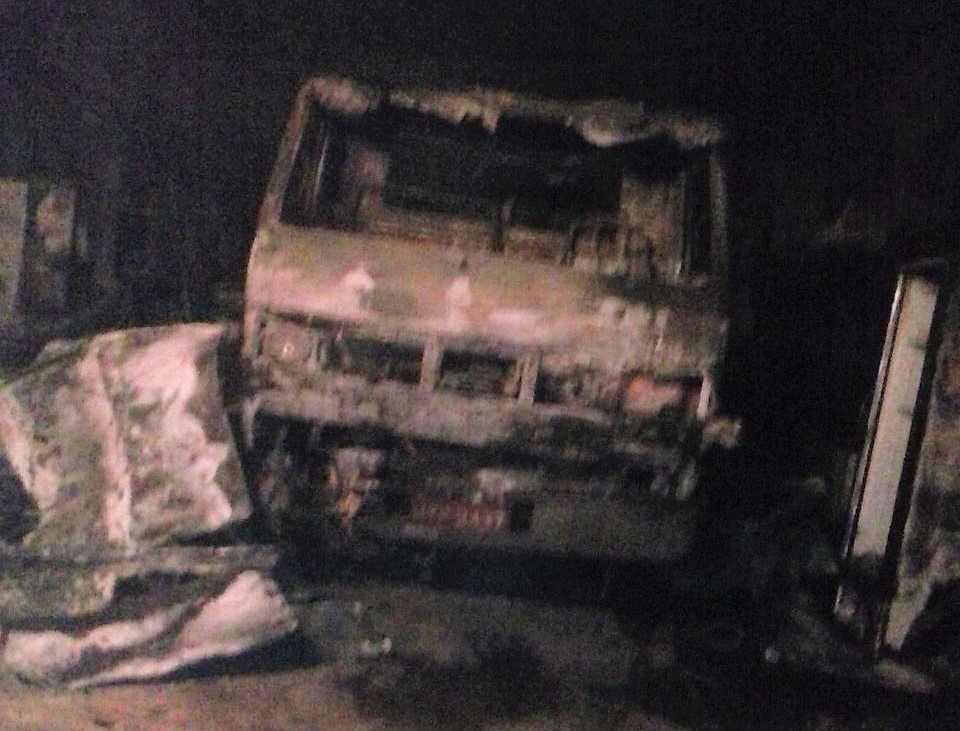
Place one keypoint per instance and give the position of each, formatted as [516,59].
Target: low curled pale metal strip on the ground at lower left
[167,626]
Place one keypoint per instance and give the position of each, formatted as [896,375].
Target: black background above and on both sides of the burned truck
[845,140]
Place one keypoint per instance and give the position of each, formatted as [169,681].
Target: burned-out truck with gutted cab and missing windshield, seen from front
[490,317]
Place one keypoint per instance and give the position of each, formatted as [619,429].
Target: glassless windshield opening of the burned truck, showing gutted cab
[531,189]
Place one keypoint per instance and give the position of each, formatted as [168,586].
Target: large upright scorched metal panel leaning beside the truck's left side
[122,443]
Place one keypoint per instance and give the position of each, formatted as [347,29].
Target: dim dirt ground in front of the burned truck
[405,658]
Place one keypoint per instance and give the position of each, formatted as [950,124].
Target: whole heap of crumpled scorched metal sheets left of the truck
[114,452]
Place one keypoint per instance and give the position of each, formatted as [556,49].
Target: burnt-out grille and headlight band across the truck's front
[304,352]
